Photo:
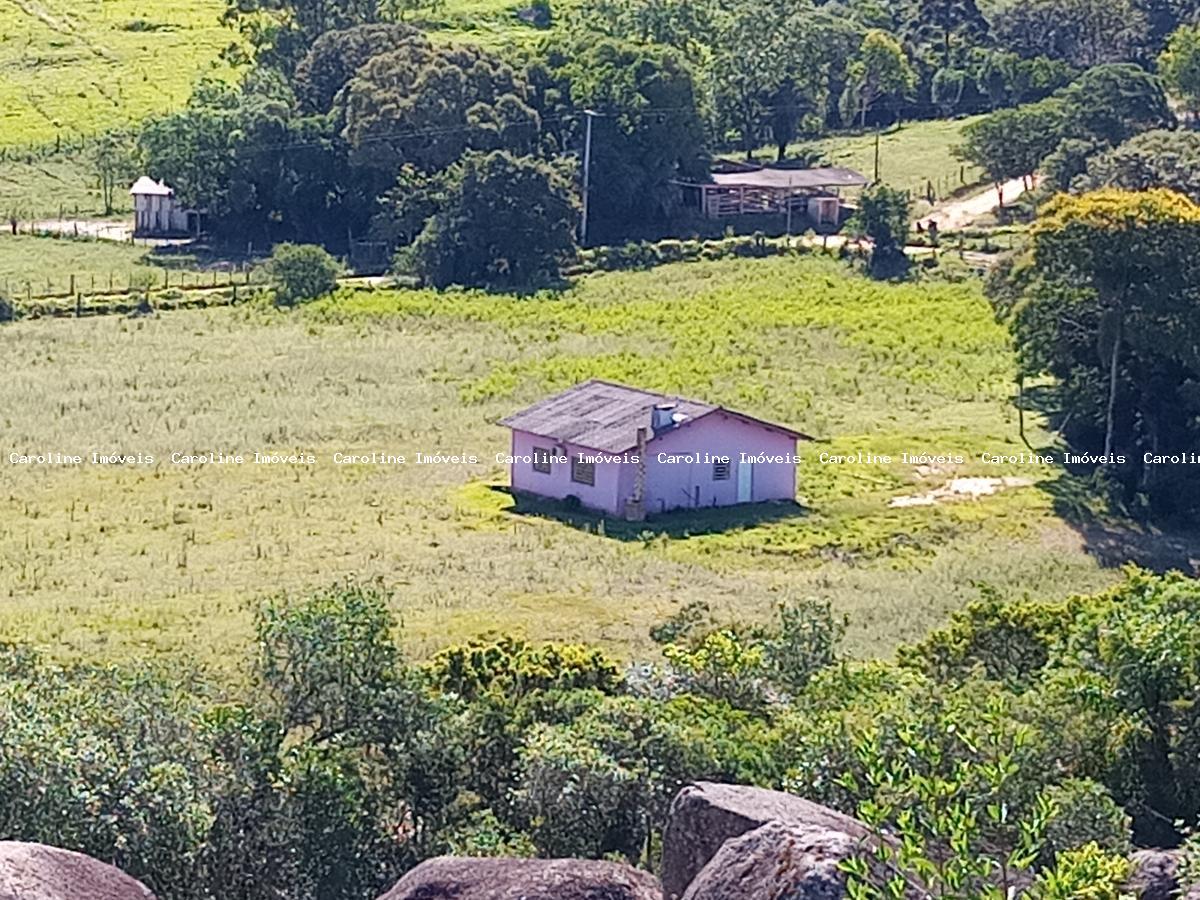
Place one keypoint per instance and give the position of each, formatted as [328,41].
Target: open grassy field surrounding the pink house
[155,560]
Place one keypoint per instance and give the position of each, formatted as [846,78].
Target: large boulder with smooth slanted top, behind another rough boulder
[704,817]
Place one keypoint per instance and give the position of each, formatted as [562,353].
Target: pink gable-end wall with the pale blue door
[674,485]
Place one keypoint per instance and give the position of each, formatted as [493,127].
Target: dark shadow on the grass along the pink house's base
[675,525]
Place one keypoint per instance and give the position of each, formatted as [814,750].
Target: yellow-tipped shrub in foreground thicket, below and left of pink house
[513,668]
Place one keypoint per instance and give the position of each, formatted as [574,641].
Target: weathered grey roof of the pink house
[605,417]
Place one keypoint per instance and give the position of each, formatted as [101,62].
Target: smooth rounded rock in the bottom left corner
[34,872]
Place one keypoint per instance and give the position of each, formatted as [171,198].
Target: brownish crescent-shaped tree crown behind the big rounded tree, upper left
[337,56]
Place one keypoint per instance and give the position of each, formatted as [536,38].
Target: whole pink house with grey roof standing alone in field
[633,453]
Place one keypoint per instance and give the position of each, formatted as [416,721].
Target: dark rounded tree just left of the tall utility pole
[506,221]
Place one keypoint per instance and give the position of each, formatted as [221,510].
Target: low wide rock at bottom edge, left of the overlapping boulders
[469,879]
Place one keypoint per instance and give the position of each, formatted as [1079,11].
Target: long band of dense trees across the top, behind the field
[349,124]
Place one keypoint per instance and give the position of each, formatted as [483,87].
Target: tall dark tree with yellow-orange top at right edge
[1111,314]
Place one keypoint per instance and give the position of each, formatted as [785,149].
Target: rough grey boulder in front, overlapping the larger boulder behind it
[776,861]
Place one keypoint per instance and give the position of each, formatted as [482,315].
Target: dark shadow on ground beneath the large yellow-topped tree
[1115,541]
